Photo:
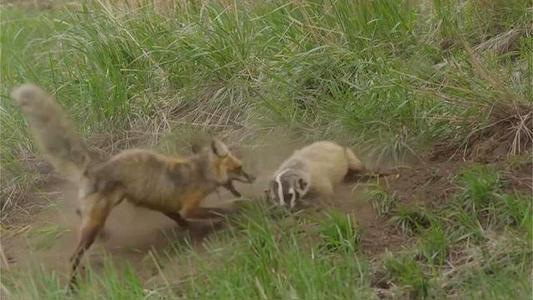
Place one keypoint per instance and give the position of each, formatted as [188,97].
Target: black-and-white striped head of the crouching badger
[287,188]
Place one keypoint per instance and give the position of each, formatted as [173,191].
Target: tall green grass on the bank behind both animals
[363,70]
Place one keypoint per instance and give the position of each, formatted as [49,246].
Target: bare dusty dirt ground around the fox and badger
[48,236]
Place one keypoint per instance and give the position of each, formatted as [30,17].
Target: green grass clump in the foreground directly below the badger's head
[280,262]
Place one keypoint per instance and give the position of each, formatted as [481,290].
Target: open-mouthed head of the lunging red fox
[225,166]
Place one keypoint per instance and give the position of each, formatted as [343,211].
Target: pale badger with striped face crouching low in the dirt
[315,169]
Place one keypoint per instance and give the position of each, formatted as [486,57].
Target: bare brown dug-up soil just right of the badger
[427,184]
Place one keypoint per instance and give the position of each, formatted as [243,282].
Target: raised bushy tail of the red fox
[53,131]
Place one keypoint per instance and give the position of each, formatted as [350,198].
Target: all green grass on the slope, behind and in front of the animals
[393,75]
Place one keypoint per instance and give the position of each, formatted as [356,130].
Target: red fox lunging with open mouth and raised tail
[174,186]
